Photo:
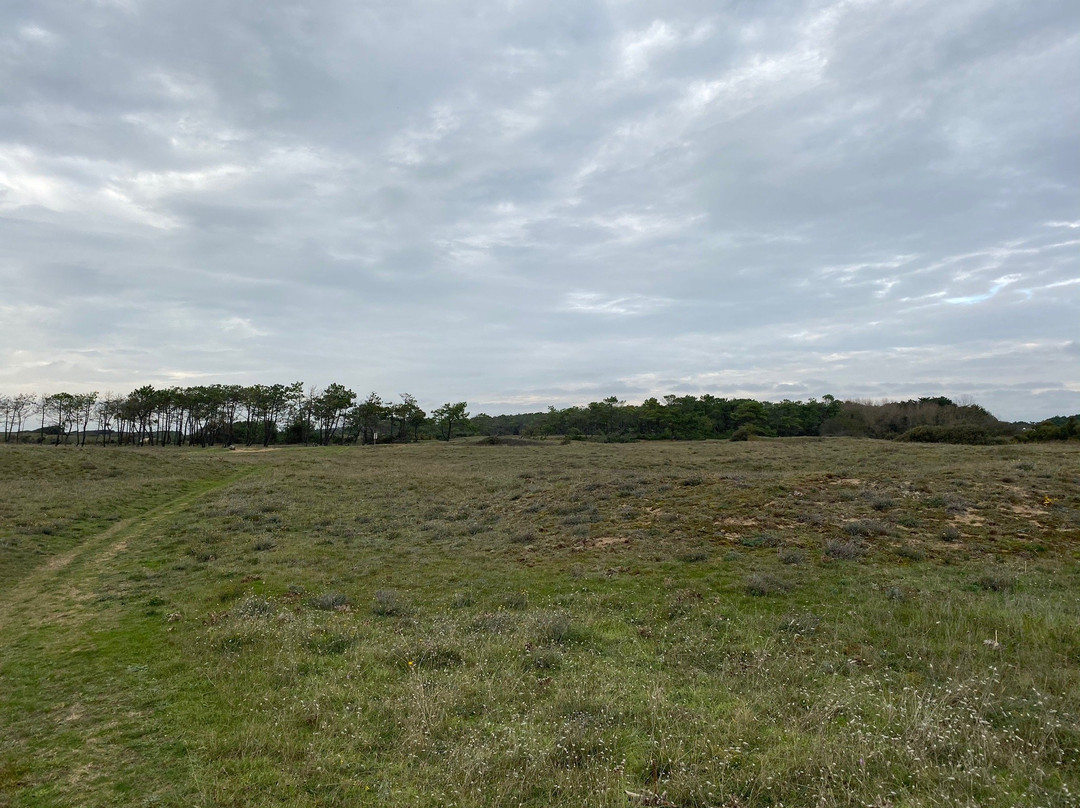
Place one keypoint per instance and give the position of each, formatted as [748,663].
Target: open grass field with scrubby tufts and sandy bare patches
[798,623]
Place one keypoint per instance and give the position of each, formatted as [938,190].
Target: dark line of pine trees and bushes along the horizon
[263,415]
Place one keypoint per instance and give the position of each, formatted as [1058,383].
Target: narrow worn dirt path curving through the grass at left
[59,589]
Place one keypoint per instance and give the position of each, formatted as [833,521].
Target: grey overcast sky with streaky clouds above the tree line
[523,205]
